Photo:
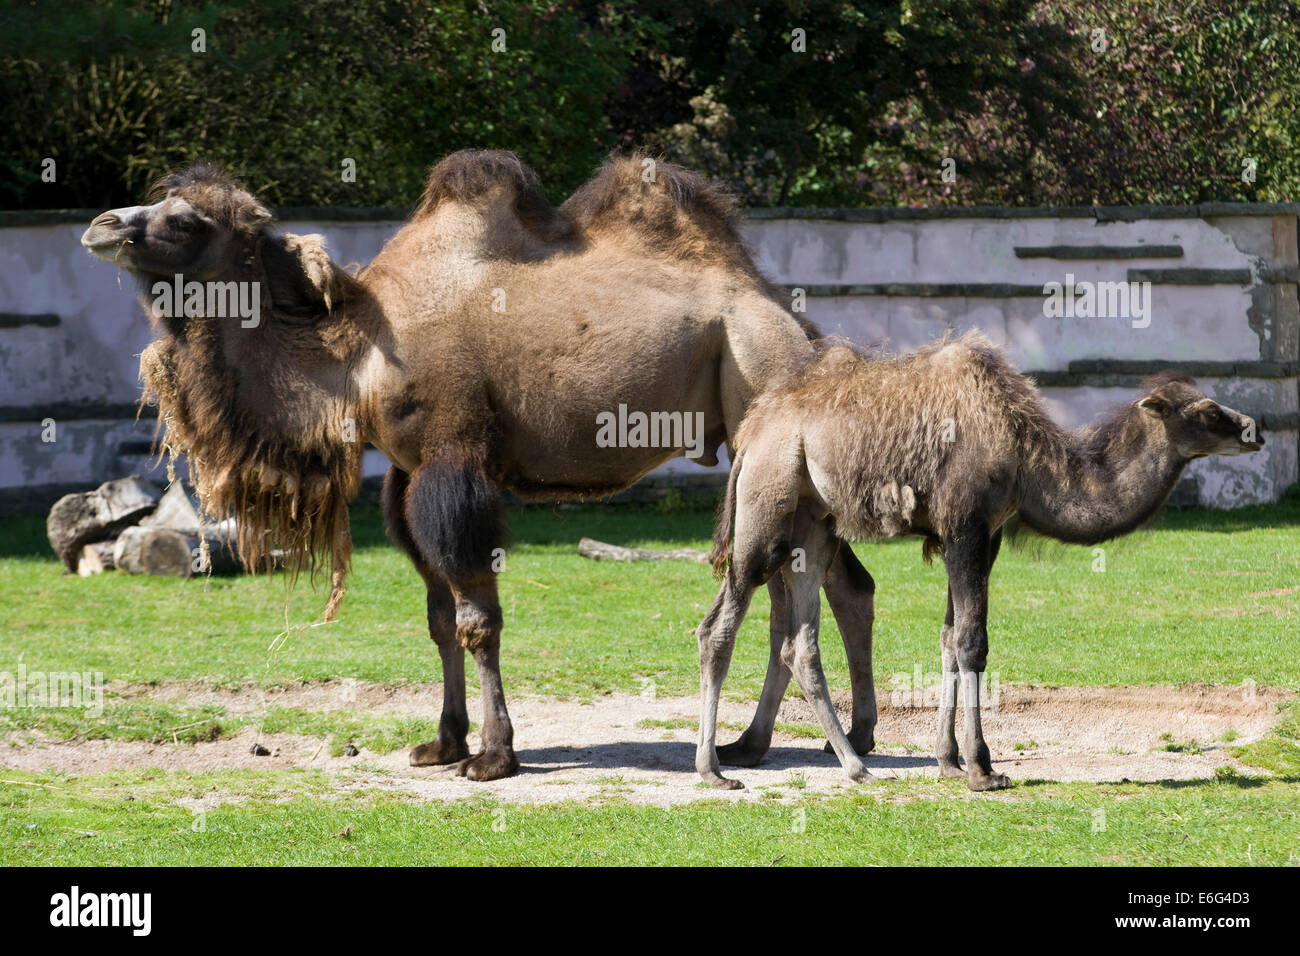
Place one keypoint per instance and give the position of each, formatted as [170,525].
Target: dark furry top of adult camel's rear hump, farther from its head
[664,204]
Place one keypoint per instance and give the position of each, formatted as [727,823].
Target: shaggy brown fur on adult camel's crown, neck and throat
[276,465]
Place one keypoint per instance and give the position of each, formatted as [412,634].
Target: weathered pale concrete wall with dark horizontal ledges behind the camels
[1223,306]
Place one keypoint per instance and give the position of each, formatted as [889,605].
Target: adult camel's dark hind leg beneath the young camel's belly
[851,592]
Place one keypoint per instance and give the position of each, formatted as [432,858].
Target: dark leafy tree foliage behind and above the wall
[787,102]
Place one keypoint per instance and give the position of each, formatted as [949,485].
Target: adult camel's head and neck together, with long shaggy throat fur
[250,371]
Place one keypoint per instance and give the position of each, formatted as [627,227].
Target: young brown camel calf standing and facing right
[947,443]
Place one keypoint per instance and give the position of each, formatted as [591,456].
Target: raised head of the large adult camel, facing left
[196,223]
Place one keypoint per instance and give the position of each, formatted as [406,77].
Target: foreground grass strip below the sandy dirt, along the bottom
[296,819]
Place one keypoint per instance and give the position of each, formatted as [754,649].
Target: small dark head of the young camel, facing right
[1194,425]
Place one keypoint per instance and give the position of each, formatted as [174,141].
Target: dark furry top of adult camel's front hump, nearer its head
[471,176]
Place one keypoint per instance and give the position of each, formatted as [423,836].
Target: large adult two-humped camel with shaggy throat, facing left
[478,352]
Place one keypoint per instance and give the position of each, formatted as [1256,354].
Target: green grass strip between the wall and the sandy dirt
[1202,596]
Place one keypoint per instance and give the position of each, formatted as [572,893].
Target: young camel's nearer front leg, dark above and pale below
[969,560]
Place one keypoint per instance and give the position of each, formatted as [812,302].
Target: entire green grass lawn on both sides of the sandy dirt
[1198,598]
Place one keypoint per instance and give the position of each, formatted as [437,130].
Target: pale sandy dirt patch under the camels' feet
[643,750]
